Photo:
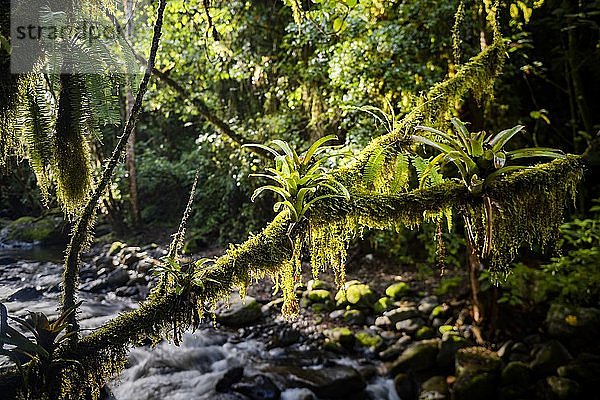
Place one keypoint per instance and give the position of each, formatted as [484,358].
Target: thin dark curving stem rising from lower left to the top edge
[81,231]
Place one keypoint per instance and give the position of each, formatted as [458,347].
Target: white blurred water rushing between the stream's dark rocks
[30,278]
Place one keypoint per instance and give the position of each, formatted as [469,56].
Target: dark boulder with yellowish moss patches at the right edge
[577,327]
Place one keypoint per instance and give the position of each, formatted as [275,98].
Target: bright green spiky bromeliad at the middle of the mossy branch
[300,178]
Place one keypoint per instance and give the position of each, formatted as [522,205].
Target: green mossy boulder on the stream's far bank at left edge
[50,229]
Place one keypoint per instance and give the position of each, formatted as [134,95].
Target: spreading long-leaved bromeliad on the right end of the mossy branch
[479,157]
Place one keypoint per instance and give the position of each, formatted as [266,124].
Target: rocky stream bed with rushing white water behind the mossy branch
[212,362]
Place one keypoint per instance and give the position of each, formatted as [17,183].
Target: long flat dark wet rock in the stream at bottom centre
[337,382]
